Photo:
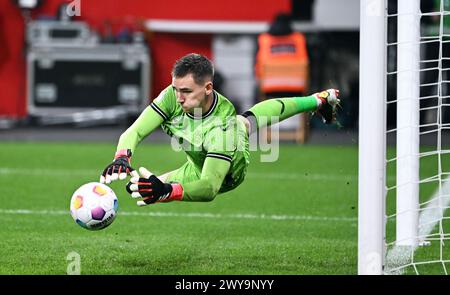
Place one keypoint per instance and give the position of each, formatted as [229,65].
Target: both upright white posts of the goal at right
[372,131]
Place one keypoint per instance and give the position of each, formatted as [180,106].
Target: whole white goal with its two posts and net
[404,189]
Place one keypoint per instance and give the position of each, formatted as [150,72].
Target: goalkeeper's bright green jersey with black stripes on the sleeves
[217,134]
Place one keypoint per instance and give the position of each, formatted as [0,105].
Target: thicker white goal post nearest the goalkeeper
[371,167]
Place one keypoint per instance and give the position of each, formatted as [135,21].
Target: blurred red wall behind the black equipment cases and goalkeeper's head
[165,47]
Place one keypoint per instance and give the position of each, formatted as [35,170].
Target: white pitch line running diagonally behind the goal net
[429,217]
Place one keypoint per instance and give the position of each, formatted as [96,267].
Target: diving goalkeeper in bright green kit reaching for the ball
[214,138]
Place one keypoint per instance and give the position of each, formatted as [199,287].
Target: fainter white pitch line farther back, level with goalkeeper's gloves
[250,175]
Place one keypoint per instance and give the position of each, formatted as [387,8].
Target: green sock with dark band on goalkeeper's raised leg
[282,108]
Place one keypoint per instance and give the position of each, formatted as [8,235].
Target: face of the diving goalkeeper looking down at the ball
[191,95]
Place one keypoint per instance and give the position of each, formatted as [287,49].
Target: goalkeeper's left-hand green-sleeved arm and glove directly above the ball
[147,122]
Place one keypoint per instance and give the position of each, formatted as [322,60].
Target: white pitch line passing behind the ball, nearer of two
[193,215]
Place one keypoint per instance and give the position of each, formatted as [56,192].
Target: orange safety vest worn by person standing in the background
[282,63]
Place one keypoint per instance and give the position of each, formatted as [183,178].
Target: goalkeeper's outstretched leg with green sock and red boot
[266,112]
